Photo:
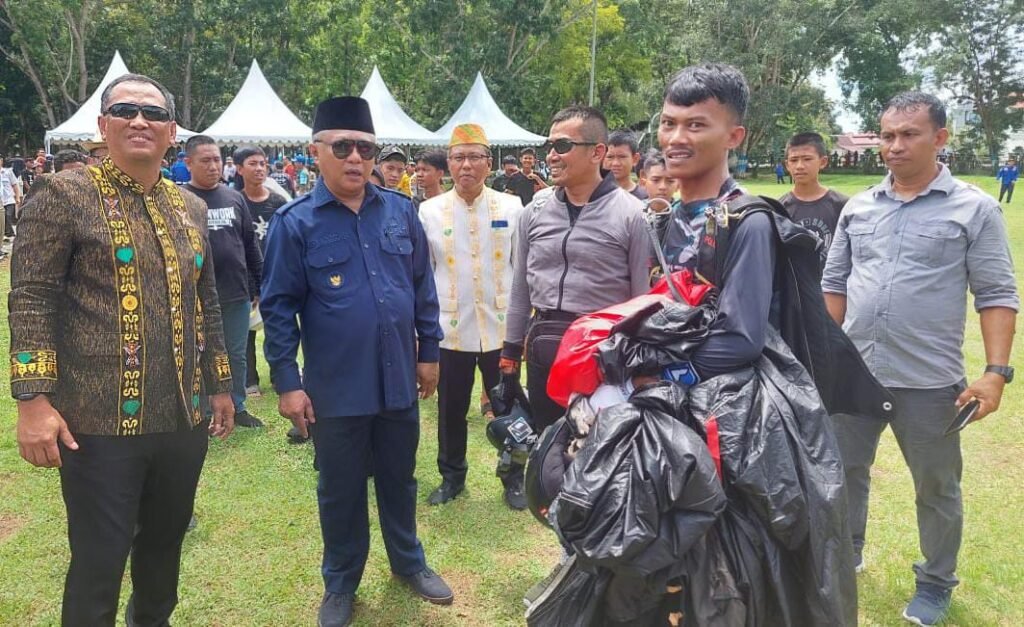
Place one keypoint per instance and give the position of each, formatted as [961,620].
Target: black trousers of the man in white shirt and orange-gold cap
[455,395]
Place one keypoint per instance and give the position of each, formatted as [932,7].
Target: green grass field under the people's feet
[255,558]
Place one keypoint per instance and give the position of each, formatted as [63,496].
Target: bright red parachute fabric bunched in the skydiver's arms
[575,369]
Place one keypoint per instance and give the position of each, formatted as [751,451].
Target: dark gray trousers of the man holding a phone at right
[935,464]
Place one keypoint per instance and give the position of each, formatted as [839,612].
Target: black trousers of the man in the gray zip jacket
[546,331]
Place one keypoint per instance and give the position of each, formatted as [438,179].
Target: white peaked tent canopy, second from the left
[259,116]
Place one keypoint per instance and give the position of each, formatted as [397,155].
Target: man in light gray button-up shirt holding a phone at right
[905,255]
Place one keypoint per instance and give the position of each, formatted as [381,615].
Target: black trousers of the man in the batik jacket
[129,495]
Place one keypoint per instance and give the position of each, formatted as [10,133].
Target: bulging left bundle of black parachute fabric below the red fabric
[639,495]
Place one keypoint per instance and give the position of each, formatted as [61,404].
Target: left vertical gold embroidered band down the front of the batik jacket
[125,260]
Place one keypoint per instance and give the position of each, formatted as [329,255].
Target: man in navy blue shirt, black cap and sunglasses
[349,277]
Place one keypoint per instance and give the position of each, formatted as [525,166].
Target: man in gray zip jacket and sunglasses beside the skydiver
[582,248]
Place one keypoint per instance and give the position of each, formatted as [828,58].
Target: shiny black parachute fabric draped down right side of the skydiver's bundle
[786,531]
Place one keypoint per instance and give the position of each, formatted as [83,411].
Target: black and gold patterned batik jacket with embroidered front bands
[114,310]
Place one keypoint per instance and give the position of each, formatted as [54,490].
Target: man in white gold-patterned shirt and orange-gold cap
[472,233]
